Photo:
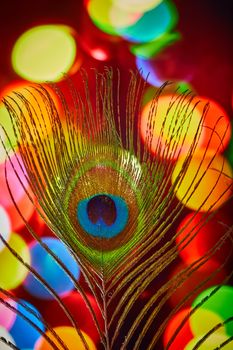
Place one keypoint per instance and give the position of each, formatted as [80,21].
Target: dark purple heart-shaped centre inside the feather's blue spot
[102,207]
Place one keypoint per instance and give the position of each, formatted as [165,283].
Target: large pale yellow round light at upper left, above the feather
[44,52]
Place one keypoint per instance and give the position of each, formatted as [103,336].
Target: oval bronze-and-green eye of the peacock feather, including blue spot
[103,206]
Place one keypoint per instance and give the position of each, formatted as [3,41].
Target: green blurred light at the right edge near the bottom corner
[219,302]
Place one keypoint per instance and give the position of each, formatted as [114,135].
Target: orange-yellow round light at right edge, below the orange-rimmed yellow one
[207,181]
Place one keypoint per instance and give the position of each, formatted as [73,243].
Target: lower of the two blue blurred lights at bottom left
[24,333]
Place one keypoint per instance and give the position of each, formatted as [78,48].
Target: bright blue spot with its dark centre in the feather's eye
[103,215]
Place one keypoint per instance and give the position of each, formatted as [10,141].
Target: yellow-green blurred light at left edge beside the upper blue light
[13,272]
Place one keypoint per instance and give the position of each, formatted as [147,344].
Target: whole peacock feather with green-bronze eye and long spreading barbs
[110,199]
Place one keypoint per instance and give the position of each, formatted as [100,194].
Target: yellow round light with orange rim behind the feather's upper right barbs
[169,127]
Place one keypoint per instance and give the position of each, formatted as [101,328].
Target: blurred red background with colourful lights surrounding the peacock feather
[186,42]
